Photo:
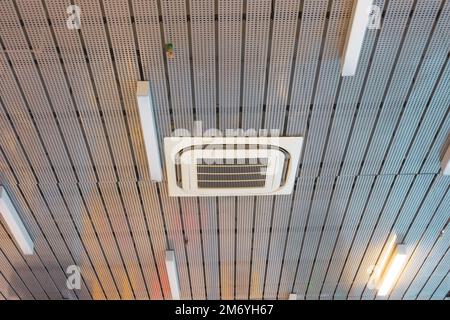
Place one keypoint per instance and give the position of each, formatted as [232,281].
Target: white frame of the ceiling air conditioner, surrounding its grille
[256,147]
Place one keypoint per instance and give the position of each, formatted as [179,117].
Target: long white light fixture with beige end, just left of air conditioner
[148,125]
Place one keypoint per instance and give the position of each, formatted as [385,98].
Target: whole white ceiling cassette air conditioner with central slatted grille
[231,166]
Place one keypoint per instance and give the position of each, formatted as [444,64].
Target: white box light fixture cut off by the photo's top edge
[355,36]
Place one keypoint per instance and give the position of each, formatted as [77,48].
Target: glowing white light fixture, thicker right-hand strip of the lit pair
[392,270]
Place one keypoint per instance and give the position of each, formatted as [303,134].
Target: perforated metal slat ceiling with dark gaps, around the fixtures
[74,164]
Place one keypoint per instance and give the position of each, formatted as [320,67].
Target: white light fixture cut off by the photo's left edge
[15,224]
